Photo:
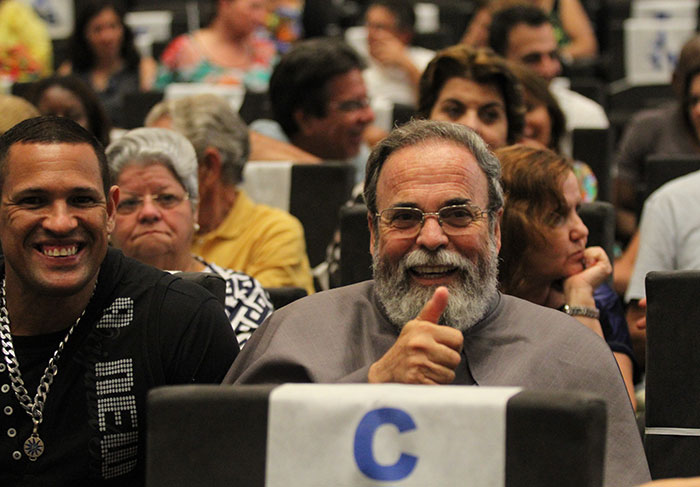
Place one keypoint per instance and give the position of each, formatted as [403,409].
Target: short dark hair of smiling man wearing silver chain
[49,129]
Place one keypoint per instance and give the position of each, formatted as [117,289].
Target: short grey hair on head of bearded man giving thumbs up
[420,131]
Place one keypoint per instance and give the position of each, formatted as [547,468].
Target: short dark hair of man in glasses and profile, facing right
[300,80]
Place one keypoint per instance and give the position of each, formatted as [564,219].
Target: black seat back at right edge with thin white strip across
[672,439]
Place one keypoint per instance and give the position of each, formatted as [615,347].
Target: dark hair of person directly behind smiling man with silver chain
[98,122]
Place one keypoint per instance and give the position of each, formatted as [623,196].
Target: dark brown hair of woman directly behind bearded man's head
[482,66]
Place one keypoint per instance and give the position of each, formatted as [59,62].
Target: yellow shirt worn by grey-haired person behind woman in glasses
[264,242]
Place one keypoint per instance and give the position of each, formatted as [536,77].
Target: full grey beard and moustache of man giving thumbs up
[469,295]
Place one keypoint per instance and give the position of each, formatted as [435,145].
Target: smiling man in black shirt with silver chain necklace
[111,326]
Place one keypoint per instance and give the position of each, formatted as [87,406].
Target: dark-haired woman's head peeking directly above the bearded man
[476,88]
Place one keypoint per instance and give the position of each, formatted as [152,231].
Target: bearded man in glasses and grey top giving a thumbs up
[433,313]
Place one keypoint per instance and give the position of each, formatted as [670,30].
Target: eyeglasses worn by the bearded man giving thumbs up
[407,222]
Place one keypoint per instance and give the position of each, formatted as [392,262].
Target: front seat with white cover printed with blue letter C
[242,435]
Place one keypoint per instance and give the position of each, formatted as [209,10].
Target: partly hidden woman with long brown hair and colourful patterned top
[545,126]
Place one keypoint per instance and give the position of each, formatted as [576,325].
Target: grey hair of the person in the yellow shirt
[209,121]
